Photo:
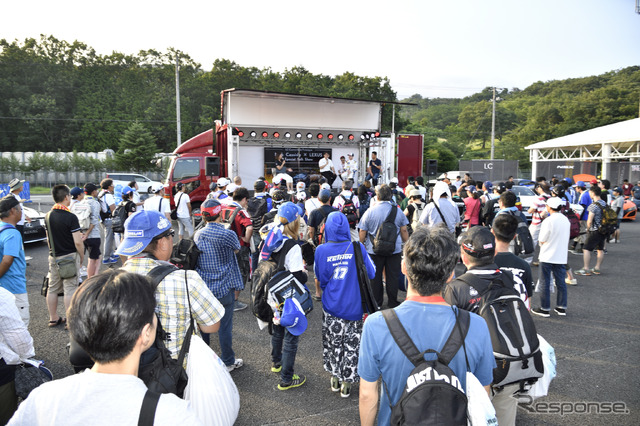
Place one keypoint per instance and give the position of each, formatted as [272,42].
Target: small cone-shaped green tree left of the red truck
[137,149]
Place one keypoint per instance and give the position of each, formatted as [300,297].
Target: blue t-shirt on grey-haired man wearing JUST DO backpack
[380,355]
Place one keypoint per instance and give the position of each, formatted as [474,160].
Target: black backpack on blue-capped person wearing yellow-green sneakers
[260,284]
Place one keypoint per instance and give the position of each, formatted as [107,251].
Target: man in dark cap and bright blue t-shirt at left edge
[12,260]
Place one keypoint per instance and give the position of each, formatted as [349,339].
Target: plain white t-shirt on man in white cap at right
[554,232]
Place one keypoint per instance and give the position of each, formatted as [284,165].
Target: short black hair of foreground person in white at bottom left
[109,311]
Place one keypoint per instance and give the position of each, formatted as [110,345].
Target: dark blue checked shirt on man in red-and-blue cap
[217,264]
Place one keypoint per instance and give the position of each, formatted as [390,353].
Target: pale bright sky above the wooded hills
[435,48]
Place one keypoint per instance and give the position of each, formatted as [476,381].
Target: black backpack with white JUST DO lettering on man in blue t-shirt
[433,393]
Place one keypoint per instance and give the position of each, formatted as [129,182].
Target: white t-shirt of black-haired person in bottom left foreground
[98,399]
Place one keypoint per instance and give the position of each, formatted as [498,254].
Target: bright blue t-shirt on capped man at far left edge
[11,245]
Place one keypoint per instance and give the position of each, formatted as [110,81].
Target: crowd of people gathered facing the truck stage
[407,239]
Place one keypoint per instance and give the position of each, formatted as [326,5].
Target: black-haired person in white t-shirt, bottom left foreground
[119,307]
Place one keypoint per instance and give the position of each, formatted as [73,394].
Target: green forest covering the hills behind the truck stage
[63,96]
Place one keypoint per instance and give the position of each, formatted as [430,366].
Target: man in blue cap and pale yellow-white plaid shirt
[148,243]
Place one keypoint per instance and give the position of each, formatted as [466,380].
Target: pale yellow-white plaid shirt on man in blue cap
[172,304]
